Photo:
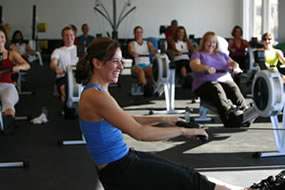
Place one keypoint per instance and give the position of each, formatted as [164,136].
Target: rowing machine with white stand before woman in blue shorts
[164,77]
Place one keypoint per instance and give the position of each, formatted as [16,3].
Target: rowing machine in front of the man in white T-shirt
[73,95]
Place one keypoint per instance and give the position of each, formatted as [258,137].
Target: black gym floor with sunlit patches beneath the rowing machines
[227,156]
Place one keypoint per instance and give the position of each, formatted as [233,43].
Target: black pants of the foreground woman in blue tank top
[146,171]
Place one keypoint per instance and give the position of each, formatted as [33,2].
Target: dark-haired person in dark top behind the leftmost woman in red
[20,45]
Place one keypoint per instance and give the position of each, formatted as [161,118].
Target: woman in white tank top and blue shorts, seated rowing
[139,50]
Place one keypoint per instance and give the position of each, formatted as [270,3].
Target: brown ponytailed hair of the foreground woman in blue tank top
[101,48]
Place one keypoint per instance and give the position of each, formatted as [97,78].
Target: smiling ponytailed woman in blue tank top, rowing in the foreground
[102,122]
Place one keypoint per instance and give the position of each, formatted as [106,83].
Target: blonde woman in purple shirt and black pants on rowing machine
[214,87]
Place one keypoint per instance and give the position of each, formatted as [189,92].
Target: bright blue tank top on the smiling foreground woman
[104,141]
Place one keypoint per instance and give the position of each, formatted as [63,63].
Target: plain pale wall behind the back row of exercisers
[197,16]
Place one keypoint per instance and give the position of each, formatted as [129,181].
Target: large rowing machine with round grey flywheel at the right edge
[268,99]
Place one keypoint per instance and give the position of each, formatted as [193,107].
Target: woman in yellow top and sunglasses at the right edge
[272,55]
